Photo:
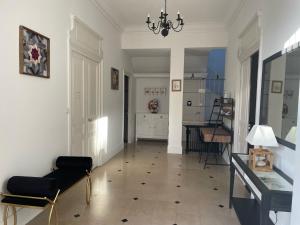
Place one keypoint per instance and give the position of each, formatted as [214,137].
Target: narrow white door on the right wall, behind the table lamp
[243,119]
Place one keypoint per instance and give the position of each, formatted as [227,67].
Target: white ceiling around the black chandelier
[133,13]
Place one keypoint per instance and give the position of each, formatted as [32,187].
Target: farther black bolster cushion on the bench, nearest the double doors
[68,162]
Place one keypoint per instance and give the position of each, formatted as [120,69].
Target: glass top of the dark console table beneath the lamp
[272,180]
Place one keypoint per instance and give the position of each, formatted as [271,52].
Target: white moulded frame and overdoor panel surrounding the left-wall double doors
[77,43]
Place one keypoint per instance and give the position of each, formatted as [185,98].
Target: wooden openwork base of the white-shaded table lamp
[261,159]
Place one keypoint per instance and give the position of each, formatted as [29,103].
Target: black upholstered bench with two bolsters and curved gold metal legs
[42,192]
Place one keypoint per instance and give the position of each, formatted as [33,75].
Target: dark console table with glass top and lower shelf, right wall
[272,191]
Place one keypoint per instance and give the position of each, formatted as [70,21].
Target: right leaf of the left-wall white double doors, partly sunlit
[92,97]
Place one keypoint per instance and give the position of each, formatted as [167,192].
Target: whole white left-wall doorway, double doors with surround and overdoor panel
[85,92]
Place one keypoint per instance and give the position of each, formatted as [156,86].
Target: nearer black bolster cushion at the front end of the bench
[32,186]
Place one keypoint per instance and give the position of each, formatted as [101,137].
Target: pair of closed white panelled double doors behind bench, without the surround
[85,110]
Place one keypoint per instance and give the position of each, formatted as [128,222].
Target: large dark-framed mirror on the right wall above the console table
[280,95]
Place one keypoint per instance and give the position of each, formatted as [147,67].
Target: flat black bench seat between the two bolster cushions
[65,178]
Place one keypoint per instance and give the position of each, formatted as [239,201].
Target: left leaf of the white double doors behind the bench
[77,105]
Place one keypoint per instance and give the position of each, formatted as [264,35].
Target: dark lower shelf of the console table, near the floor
[247,210]
